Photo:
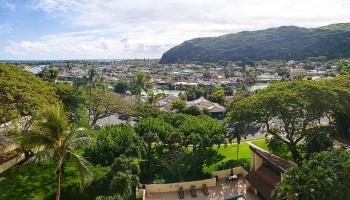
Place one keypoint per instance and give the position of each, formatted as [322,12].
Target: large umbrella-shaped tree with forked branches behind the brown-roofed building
[294,106]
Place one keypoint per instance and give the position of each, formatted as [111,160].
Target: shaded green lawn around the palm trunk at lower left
[37,182]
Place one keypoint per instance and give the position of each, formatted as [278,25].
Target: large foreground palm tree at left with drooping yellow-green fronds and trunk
[55,140]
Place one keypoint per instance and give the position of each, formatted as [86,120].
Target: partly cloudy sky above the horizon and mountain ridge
[122,29]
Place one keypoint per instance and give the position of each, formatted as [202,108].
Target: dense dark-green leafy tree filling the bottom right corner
[326,176]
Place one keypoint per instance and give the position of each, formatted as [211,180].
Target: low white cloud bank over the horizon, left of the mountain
[85,45]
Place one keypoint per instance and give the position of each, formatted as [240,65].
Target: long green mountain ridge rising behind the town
[284,42]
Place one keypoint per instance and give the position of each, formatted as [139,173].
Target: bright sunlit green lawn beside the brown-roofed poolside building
[229,152]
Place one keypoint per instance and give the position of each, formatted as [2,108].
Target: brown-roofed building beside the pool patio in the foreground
[266,172]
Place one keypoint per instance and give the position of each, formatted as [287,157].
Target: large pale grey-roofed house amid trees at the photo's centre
[216,110]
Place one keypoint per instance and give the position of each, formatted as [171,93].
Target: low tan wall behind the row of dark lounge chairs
[174,187]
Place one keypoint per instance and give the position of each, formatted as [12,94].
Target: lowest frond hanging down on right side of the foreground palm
[85,174]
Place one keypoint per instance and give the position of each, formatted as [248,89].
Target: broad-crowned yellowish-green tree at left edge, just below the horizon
[22,94]
